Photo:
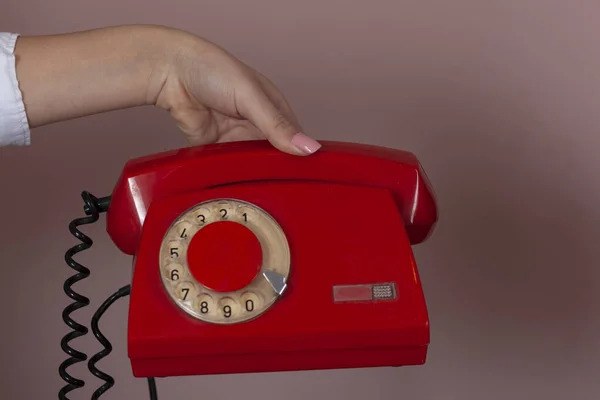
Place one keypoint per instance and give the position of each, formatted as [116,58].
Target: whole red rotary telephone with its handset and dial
[247,259]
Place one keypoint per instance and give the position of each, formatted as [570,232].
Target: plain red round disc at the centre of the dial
[224,256]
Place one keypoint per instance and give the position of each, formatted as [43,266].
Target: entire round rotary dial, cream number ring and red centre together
[224,261]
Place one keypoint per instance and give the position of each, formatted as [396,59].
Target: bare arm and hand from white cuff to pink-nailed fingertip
[212,96]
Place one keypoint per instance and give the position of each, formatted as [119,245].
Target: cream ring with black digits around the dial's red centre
[209,305]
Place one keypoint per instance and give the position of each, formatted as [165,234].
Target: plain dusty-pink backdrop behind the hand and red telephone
[499,99]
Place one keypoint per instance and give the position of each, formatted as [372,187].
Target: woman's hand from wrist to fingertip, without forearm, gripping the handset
[214,97]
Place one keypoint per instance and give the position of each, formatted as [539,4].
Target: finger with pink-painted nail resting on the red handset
[278,129]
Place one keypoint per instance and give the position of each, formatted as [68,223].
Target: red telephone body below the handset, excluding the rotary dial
[338,241]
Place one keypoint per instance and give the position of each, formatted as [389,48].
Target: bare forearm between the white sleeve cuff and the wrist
[77,74]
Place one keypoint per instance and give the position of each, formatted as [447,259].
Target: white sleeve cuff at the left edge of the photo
[14,128]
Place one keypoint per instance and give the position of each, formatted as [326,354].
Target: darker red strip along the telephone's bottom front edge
[279,362]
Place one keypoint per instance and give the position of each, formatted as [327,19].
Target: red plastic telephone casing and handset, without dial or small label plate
[350,213]
